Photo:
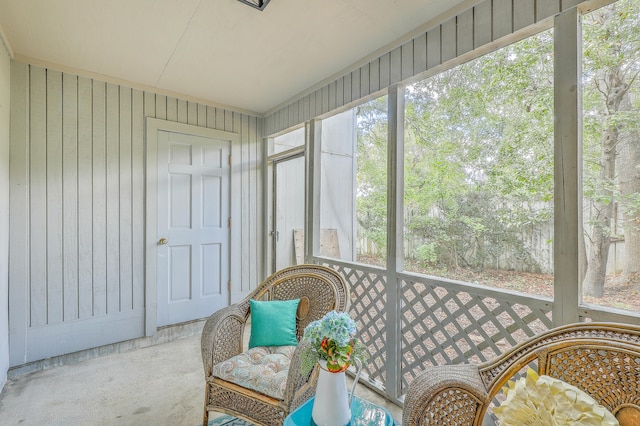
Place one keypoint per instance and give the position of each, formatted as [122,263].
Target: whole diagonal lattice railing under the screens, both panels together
[442,322]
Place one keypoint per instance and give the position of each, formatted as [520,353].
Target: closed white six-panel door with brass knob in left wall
[193,226]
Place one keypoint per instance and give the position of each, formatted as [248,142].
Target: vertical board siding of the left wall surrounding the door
[78,162]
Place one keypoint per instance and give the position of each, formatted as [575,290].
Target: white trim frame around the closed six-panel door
[152,127]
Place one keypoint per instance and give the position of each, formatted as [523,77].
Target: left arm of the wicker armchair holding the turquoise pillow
[222,336]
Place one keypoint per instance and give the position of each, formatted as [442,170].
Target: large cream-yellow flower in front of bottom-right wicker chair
[542,401]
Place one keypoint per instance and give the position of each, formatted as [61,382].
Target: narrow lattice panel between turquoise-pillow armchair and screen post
[368,298]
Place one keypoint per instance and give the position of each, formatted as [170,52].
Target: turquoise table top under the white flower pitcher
[363,413]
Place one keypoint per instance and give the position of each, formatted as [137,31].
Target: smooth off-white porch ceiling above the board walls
[220,51]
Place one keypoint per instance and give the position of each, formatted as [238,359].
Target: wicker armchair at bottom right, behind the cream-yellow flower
[602,359]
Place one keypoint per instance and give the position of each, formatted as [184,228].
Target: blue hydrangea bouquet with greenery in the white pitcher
[332,339]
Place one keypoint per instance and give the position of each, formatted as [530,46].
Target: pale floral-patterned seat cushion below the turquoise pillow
[263,369]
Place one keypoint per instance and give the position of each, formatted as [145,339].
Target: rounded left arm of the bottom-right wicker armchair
[446,394]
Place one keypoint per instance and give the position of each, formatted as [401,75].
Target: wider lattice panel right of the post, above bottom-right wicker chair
[463,323]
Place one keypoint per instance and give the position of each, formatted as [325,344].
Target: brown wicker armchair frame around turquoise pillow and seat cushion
[320,290]
